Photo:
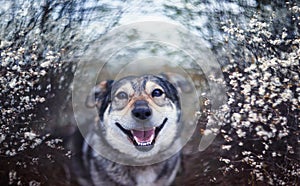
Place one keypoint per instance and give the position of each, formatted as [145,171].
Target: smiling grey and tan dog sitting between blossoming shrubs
[133,140]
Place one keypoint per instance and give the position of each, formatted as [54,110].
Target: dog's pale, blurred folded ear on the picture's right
[178,81]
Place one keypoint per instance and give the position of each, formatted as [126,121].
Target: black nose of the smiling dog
[141,110]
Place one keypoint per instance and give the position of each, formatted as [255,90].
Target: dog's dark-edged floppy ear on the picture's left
[99,95]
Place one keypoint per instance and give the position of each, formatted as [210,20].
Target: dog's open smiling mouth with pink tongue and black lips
[143,138]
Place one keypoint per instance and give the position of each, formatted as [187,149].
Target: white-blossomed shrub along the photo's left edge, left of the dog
[26,85]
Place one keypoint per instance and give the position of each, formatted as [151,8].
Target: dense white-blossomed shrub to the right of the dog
[260,128]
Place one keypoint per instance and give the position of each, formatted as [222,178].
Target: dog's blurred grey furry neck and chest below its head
[103,171]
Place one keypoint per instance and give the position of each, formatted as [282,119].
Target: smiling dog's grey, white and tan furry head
[139,115]
